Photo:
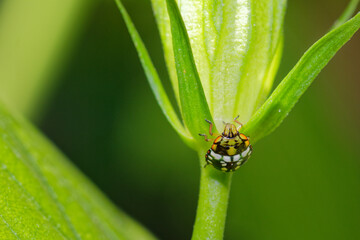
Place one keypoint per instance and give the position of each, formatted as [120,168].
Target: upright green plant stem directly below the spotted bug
[213,202]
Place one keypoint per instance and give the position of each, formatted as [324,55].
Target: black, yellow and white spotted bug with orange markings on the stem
[229,150]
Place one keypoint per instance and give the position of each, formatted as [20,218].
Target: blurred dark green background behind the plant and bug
[303,181]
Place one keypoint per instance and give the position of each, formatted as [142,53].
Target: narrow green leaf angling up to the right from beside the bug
[285,96]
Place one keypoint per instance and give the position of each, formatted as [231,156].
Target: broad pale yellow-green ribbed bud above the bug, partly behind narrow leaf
[234,45]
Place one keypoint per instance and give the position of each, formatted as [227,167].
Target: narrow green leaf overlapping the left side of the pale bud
[192,98]
